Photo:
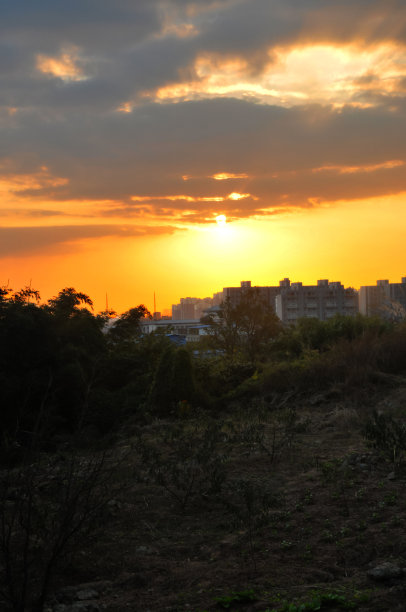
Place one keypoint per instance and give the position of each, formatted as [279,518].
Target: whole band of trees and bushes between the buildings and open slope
[63,373]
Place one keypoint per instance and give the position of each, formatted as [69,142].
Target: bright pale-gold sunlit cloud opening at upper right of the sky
[295,75]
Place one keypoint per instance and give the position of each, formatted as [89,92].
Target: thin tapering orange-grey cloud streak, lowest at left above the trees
[20,241]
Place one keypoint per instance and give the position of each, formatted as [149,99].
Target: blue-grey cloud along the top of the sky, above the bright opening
[122,47]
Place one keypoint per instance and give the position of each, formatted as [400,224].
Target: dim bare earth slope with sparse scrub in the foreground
[284,530]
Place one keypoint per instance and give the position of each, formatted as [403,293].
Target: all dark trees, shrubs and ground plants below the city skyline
[261,449]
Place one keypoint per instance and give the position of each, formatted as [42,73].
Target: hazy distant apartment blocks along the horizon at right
[291,301]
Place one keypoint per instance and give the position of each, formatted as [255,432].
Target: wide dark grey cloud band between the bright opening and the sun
[146,153]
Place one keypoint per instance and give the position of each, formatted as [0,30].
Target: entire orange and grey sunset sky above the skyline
[180,146]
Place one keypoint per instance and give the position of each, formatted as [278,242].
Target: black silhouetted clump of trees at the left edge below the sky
[55,371]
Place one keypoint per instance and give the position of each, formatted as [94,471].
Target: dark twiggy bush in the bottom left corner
[47,509]
